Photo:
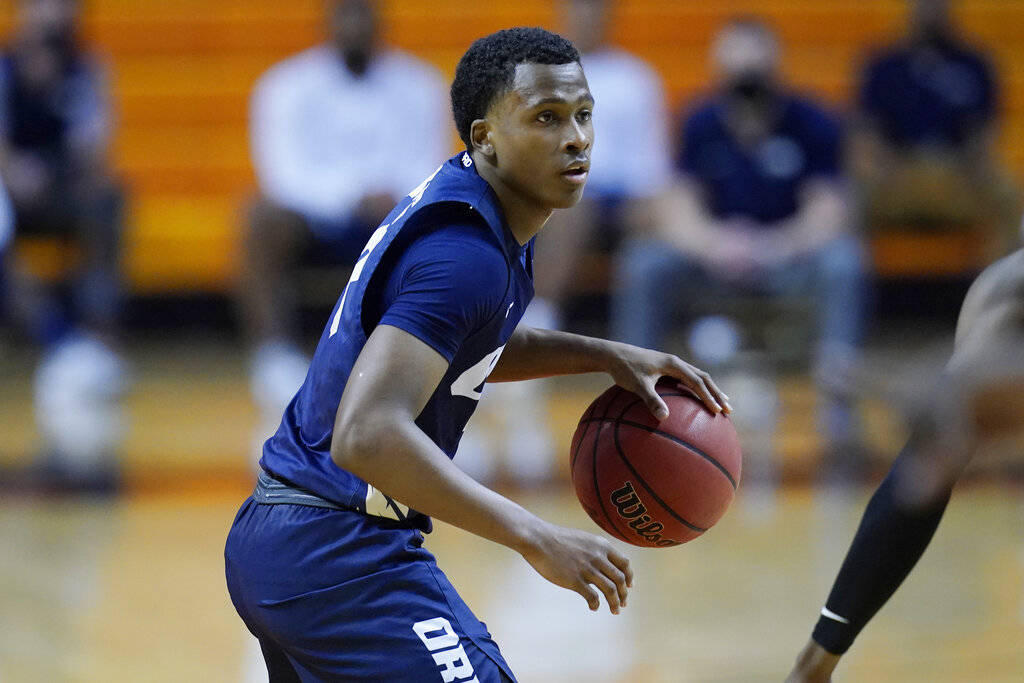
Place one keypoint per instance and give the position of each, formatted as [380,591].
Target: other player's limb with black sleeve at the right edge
[980,398]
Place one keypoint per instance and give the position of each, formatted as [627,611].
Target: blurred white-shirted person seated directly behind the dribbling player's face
[631,164]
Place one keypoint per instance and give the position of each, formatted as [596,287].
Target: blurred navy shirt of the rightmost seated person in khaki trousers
[934,97]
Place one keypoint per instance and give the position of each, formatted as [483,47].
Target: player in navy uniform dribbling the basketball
[325,562]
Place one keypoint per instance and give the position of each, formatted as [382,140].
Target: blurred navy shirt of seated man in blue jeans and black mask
[761,184]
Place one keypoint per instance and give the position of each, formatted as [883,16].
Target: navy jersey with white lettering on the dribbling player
[445,268]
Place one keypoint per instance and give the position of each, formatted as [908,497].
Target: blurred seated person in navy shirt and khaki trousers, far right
[923,149]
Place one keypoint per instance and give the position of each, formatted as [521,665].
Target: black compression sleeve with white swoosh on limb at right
[890,541]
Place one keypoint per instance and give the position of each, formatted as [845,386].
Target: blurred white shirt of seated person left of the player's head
[323,138]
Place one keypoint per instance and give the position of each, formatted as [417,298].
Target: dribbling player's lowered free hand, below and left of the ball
[581,563]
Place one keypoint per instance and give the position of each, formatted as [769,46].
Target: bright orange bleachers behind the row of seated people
[184,69]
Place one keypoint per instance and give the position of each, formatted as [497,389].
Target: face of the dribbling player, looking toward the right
[542,135]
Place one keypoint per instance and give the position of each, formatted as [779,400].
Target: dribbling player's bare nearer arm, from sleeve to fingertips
[376,439]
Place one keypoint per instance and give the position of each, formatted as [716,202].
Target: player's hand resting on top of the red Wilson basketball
[638,370]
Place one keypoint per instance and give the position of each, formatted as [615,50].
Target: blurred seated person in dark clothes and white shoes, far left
[55,137]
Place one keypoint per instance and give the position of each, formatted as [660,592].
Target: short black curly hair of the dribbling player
[488,68]
